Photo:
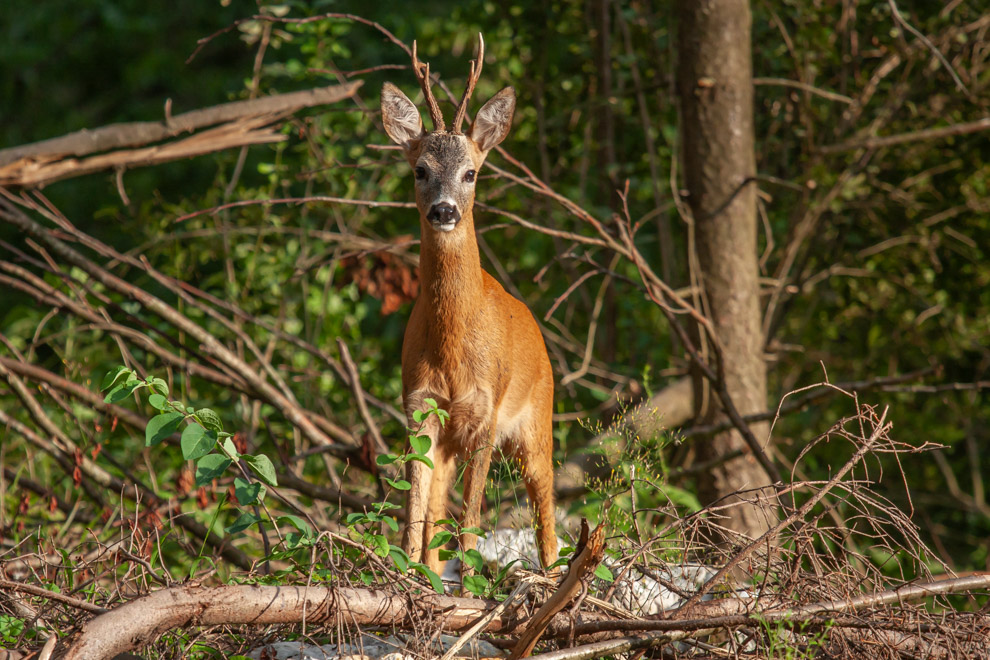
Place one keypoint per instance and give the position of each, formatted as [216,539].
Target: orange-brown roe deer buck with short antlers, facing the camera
[468,345]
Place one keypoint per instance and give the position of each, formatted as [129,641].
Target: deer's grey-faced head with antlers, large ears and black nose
[446,163]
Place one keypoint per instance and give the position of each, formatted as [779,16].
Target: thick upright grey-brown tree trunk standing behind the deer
[715,88]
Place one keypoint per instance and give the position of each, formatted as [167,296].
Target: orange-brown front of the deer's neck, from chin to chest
[451,281]
